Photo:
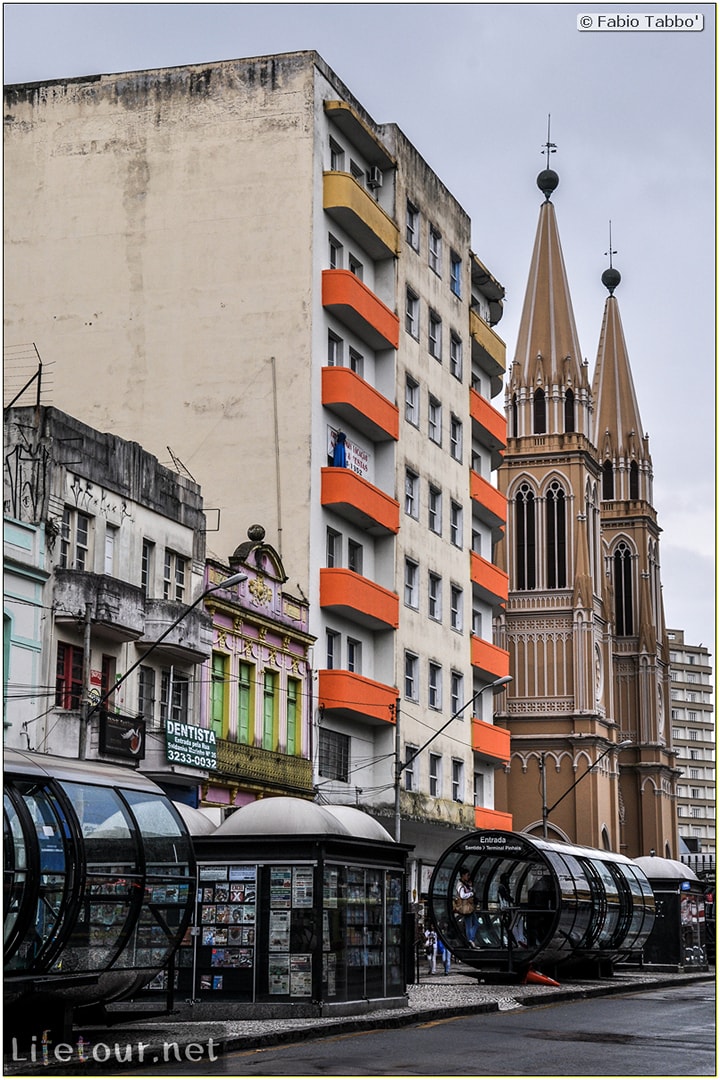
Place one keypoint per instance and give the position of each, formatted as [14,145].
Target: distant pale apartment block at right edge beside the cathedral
[694,739]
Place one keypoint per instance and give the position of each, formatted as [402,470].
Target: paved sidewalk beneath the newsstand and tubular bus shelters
[170,1038]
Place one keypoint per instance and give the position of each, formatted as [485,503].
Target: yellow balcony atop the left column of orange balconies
[356,211]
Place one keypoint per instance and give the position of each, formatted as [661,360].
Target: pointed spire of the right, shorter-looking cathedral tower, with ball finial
[618,434]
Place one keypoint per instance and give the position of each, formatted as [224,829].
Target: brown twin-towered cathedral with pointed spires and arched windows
[588,711]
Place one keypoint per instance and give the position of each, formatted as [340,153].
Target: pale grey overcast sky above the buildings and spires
[633,117]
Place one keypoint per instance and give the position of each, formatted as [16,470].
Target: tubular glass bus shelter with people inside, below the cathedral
[539,902]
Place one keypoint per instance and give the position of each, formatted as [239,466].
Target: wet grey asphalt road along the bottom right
[662,1033]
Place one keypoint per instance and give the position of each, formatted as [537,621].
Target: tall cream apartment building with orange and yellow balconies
[282,294]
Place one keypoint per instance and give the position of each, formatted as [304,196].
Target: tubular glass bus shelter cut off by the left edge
[99,884]
